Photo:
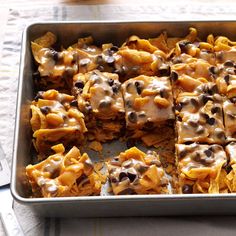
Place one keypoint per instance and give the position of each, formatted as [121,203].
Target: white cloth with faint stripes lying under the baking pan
[33,225]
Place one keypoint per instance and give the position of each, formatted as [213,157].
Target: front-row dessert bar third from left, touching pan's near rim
[201,168]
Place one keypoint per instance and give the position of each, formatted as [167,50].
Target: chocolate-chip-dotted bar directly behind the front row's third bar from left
[200,116]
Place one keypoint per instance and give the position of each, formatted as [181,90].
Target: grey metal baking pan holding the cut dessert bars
[103,206]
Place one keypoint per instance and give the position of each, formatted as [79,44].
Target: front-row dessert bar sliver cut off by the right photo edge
[231,176]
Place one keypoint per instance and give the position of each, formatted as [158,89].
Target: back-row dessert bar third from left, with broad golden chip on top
[140,57]
